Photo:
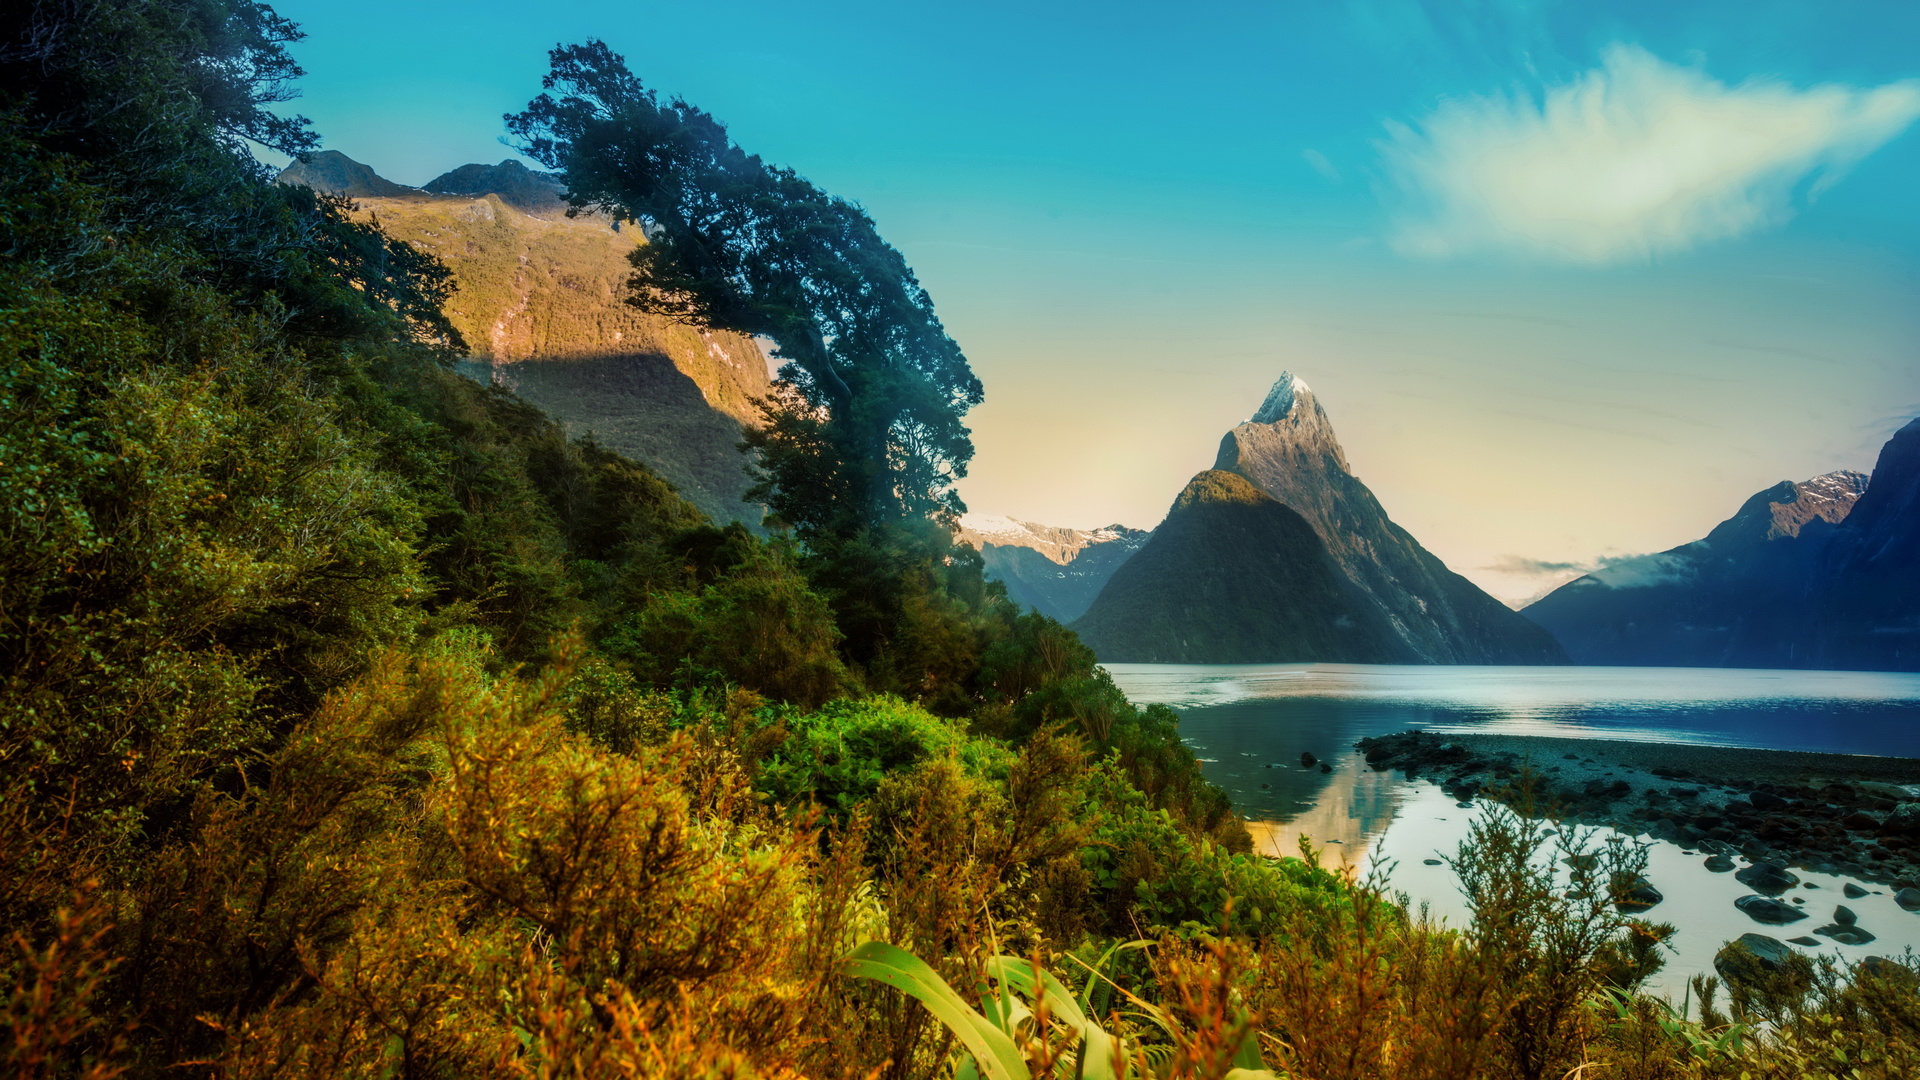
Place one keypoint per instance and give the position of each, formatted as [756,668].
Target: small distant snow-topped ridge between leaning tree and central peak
[1055,572]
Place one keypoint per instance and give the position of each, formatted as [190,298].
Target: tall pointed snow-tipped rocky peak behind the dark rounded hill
[1289,451]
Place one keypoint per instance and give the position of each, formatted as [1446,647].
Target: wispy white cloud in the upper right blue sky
[1635,159]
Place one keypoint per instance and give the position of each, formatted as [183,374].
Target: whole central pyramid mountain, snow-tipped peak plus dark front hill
[1220,585]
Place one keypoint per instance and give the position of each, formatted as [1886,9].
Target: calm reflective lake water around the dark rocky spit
[1251,724]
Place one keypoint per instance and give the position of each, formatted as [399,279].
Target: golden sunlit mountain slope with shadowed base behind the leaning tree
[540,301]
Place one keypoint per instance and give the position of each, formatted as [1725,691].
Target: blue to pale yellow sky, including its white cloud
[1573,280]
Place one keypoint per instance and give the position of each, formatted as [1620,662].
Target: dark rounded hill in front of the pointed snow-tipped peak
[1236,577]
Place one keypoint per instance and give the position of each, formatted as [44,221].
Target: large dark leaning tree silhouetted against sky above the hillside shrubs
[869,422]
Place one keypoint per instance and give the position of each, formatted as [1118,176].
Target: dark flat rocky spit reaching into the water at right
[1823,812]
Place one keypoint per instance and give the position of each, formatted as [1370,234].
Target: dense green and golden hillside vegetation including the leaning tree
[358,724]
